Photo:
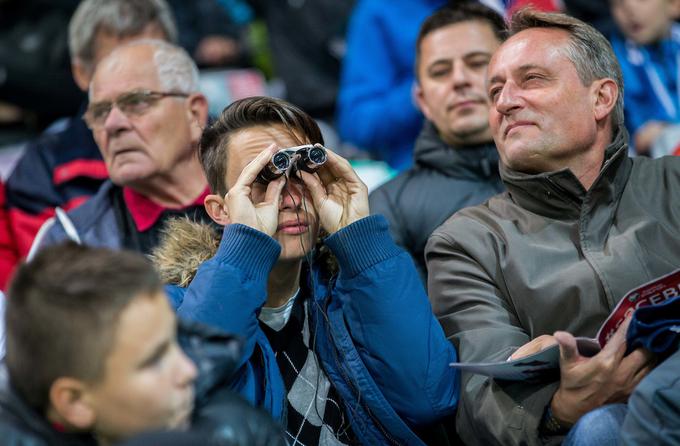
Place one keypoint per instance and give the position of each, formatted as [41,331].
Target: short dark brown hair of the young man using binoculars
[246,113]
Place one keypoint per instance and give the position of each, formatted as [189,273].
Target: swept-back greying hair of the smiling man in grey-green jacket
[589,51]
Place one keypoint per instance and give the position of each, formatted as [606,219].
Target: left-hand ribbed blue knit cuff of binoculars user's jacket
[249,250]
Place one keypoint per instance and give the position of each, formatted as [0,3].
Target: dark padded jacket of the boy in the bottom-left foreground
[220,414]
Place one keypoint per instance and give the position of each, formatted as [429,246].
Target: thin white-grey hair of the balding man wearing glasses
[176,70]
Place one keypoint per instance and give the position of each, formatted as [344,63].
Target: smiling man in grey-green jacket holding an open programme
[580,225]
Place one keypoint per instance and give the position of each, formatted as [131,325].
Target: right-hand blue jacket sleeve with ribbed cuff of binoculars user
[391,322]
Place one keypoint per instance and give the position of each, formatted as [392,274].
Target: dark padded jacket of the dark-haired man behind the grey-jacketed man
[443,180]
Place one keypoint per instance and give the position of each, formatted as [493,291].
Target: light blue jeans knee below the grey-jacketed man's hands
[599,427]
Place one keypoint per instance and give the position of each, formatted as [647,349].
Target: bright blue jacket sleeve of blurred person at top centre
[375,105]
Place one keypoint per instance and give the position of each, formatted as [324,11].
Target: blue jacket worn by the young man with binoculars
[375,333]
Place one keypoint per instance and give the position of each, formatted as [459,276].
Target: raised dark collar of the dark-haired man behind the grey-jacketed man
[471,162]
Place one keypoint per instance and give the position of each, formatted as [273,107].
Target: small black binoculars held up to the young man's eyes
[308,157]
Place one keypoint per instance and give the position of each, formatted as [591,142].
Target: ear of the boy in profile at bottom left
[70,405]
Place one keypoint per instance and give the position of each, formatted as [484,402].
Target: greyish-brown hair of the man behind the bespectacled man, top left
[121,18]
